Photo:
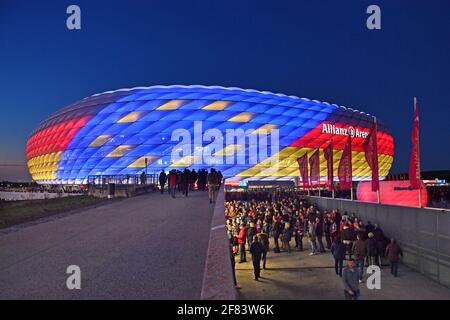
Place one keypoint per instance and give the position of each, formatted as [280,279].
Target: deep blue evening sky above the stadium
[316,49]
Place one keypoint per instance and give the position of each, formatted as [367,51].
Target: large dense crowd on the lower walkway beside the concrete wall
[284,217]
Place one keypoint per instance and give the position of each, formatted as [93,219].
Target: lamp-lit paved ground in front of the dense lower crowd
[298,276]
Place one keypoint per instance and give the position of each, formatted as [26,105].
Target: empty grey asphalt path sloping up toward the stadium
[147,247]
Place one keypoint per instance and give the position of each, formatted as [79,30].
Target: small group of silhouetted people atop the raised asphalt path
[189,180]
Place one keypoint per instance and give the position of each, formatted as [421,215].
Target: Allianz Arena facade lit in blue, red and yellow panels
[175,127]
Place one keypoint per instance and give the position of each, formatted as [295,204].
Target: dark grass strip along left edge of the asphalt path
[16,212]
